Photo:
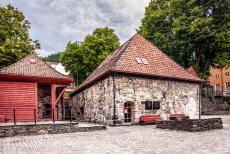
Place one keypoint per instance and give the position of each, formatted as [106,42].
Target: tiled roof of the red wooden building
[33,66]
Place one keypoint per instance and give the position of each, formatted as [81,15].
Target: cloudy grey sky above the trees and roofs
[56,22]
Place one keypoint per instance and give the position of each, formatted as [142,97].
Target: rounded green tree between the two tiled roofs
[81,59]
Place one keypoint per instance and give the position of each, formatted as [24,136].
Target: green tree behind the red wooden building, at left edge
[15,42]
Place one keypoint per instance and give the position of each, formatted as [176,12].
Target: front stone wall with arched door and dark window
[174,96]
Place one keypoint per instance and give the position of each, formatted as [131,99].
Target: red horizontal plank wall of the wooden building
[20,96]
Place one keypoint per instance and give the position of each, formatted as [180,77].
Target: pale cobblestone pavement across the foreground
[123,140]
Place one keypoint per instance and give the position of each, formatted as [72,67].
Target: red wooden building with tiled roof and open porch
[32,89]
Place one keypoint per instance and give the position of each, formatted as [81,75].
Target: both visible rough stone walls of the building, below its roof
[174,97]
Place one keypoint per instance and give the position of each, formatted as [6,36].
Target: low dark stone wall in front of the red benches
[191,125]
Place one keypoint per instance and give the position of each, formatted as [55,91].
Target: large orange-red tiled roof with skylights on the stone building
[139,56]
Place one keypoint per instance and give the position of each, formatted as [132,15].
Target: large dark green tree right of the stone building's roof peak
[192,32]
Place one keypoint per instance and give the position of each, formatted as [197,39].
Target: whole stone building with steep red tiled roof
[136,79]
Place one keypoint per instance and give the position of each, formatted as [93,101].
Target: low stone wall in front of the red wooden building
[21,130]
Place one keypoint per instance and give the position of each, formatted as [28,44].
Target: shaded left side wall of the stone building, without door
[96,101]
